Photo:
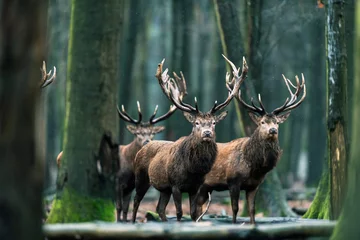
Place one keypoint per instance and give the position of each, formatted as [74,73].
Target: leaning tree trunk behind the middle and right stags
[233,48]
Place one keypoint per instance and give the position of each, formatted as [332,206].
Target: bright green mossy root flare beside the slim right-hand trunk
[320,207]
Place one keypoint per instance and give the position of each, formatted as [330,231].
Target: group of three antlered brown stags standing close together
[196,164]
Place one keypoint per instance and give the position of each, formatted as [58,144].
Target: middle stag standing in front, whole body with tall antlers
[180,166]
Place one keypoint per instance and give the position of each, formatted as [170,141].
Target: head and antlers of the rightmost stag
[268,123]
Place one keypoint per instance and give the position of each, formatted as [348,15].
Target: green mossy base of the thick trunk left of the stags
[74,207]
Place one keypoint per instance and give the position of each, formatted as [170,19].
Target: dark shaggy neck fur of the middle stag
[197,155]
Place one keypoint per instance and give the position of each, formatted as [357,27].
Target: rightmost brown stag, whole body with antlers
[243,163]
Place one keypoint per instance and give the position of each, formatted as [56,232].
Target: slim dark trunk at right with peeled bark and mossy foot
[336,76]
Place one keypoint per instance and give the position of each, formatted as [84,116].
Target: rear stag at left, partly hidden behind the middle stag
[144,133]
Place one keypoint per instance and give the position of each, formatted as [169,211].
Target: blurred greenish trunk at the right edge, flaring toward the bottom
[348,226]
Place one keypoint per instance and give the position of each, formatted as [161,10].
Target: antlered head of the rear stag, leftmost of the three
[144,131]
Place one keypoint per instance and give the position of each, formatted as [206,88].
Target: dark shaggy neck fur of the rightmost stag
[261,153]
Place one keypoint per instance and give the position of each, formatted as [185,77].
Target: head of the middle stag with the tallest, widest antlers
[203,122]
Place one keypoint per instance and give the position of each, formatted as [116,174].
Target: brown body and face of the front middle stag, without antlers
[176,167]
